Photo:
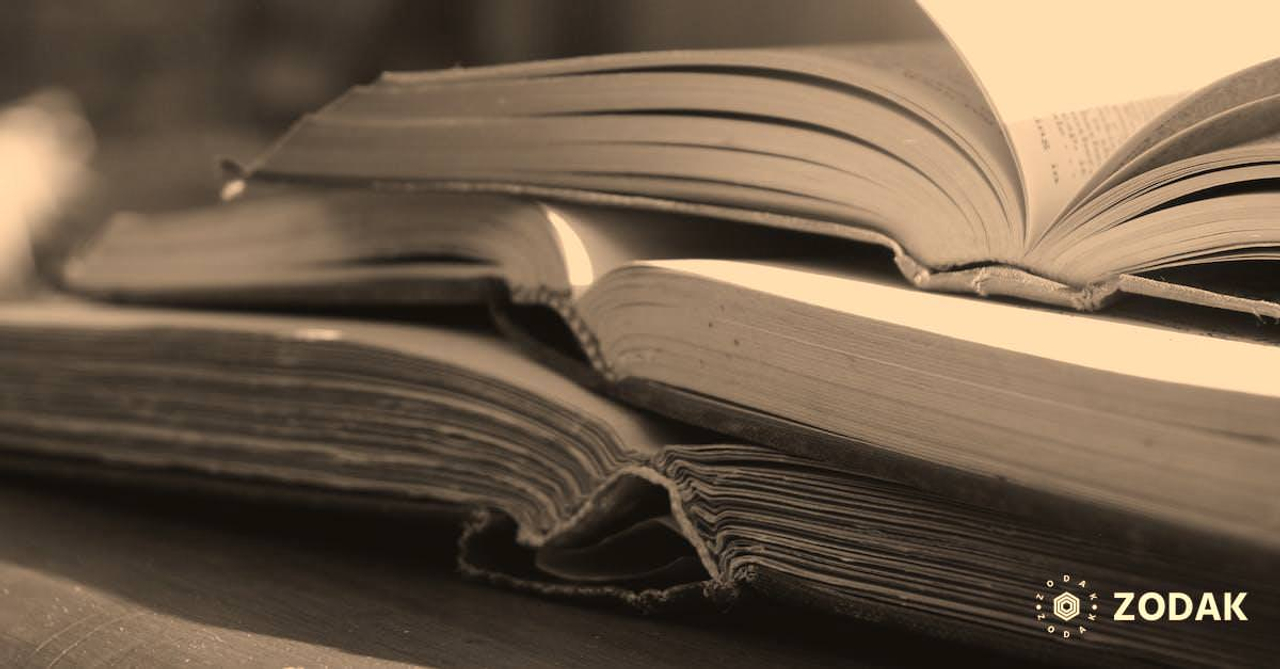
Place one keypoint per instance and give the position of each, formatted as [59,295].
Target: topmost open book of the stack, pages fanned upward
[1066,199]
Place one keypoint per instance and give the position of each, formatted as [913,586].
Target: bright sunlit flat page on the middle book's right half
[1086,341]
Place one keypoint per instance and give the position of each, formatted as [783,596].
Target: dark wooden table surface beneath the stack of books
[109,576]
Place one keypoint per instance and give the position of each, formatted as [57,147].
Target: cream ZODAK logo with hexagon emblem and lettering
[1068,604]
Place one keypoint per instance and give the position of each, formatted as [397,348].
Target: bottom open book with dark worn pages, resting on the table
[574,496]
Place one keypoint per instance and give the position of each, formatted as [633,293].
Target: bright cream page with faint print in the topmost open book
[1073,83]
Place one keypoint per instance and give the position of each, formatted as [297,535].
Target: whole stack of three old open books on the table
[682,327]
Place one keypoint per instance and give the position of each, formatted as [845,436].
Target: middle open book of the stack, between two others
[1145,424]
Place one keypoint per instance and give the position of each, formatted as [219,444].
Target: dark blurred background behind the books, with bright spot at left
[130,104]
